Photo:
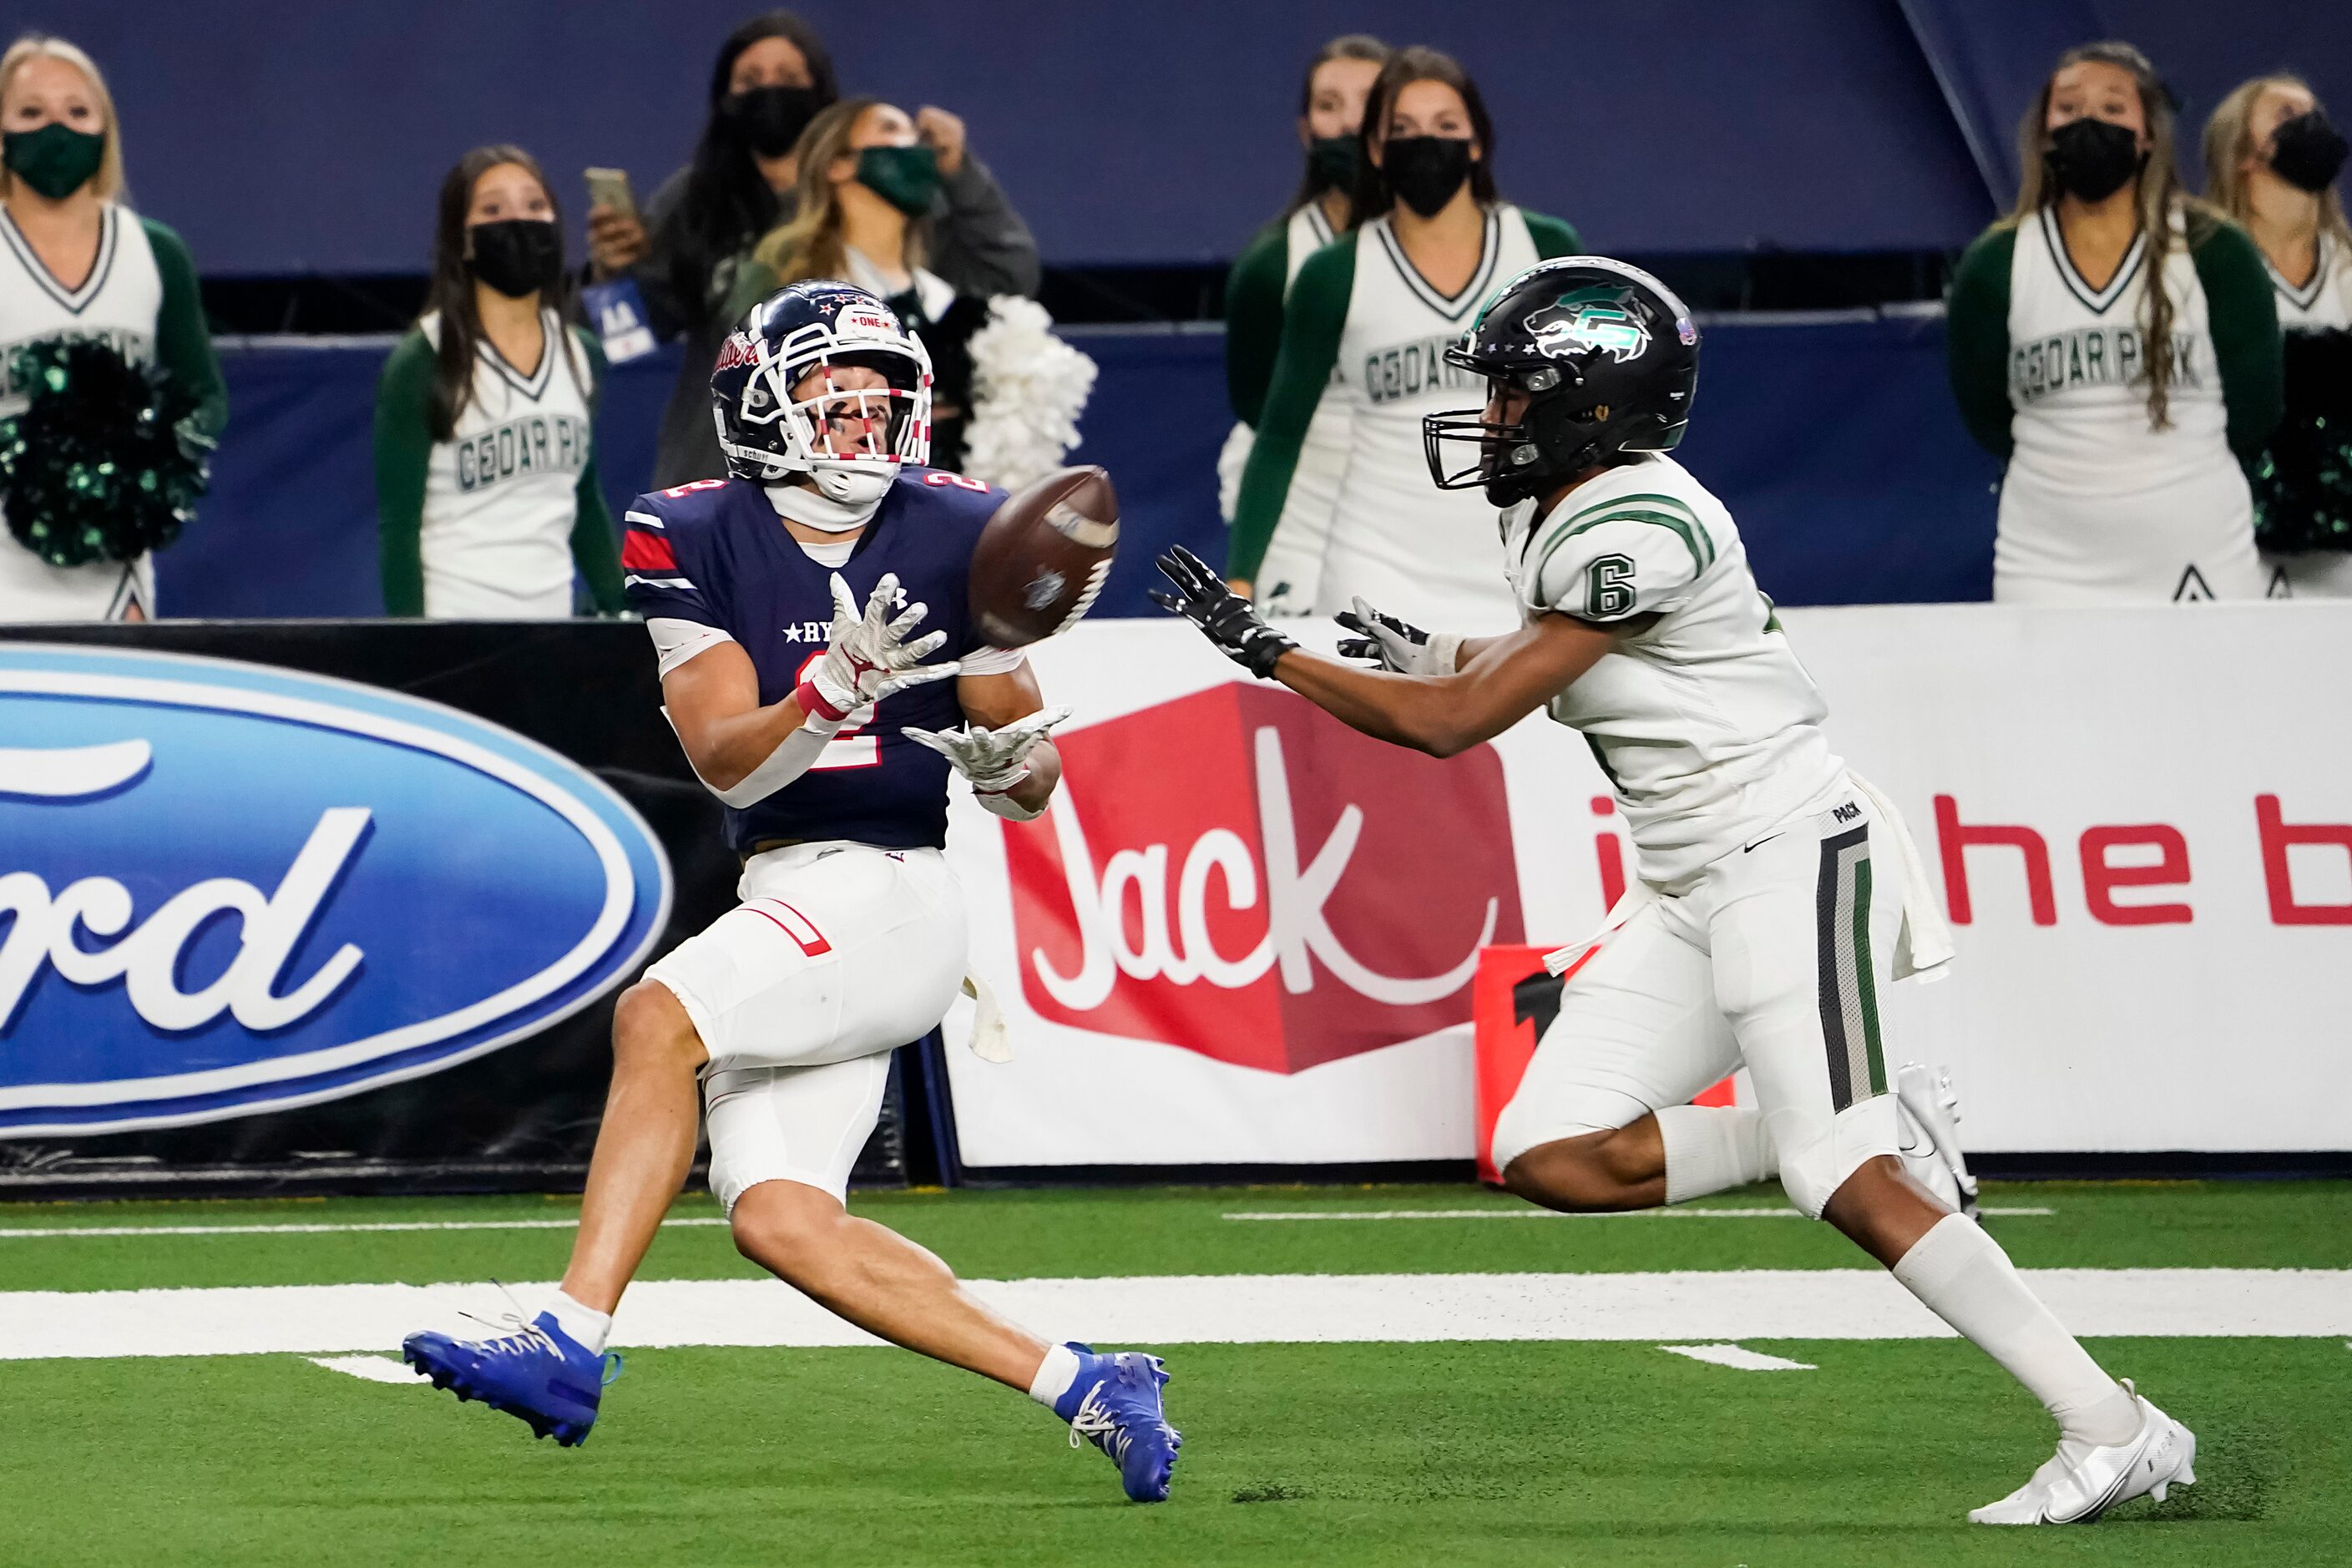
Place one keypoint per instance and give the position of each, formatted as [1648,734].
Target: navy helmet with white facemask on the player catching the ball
[770,436]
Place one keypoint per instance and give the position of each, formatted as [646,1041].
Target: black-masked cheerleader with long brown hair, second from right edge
[2116,342]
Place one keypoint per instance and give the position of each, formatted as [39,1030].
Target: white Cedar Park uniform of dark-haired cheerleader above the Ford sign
[502,495]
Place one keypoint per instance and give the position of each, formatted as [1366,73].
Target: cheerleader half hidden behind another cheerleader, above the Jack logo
[1330,116]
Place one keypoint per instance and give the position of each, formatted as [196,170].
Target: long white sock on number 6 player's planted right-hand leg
[1967,1280]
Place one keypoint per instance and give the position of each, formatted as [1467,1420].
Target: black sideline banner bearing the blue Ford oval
[330,904]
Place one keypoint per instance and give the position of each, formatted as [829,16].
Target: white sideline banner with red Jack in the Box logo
[1248,934]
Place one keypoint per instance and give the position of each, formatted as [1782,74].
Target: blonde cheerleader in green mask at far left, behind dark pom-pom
[86,267]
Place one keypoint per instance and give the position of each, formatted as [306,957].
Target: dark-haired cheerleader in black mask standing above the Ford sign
[488,497]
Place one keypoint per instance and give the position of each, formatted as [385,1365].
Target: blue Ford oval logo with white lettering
[229,887]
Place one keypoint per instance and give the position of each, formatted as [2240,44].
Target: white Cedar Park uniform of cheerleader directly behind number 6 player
[1403,544]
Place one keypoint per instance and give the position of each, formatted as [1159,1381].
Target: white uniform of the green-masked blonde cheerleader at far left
[116,304]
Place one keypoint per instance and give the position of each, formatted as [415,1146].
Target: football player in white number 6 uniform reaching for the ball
[1777,897]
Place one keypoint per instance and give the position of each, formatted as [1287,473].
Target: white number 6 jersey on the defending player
[1704,721]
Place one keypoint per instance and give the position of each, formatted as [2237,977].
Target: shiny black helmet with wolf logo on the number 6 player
[1608,361]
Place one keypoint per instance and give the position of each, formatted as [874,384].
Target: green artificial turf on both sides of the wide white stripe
[1563,1452]
